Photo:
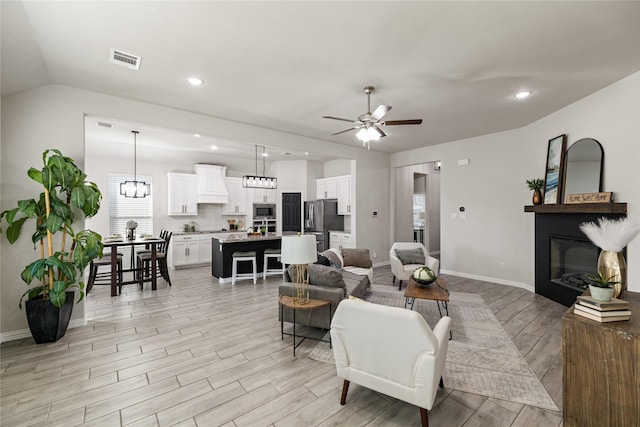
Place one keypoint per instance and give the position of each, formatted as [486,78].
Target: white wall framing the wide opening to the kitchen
[53,117]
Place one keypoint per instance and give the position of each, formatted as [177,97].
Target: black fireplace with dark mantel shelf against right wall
[563,253]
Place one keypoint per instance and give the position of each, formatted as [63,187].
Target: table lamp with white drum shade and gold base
[299,251]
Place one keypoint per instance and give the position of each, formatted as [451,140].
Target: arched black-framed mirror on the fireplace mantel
[583,172]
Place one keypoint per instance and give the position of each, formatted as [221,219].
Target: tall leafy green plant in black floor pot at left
[58,270]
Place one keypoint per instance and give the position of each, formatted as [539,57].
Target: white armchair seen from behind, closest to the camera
[390,350]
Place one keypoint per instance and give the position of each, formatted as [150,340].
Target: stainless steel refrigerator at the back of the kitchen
[320,216]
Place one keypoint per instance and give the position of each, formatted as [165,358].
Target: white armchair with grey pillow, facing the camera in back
[411,255]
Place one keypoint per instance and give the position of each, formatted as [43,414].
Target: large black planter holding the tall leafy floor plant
[46,322]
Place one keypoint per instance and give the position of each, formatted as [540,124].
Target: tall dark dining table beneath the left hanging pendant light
[119,242]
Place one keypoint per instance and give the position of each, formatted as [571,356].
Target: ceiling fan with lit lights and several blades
[370,123]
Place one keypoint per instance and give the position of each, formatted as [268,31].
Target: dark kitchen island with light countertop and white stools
[224,245]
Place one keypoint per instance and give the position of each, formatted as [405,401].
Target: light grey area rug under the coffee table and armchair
[481,358]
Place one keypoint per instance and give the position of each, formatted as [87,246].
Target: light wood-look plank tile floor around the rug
[205,354]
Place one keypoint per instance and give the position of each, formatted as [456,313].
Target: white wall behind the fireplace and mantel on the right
[493,191]
